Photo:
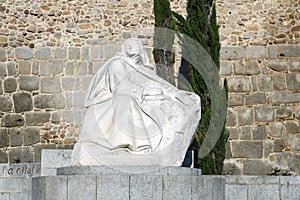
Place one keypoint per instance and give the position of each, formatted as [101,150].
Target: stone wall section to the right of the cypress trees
[260,58]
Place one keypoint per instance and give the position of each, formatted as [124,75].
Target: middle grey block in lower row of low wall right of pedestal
[265,192]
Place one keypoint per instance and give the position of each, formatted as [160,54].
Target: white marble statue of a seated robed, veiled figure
[133,116]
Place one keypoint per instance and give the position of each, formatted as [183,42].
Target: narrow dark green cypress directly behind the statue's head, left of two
[164,59]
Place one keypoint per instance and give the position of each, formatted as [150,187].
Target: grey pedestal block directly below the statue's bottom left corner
[82,187]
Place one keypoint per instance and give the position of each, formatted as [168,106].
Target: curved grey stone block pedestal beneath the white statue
[130,182]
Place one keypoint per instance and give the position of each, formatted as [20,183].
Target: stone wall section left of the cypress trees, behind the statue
[49,50]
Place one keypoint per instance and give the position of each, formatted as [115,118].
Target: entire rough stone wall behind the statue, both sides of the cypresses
[49,50]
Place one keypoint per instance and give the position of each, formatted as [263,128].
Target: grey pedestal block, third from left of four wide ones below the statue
[146,187]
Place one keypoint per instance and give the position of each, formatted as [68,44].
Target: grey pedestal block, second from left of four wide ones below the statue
[107,185]
